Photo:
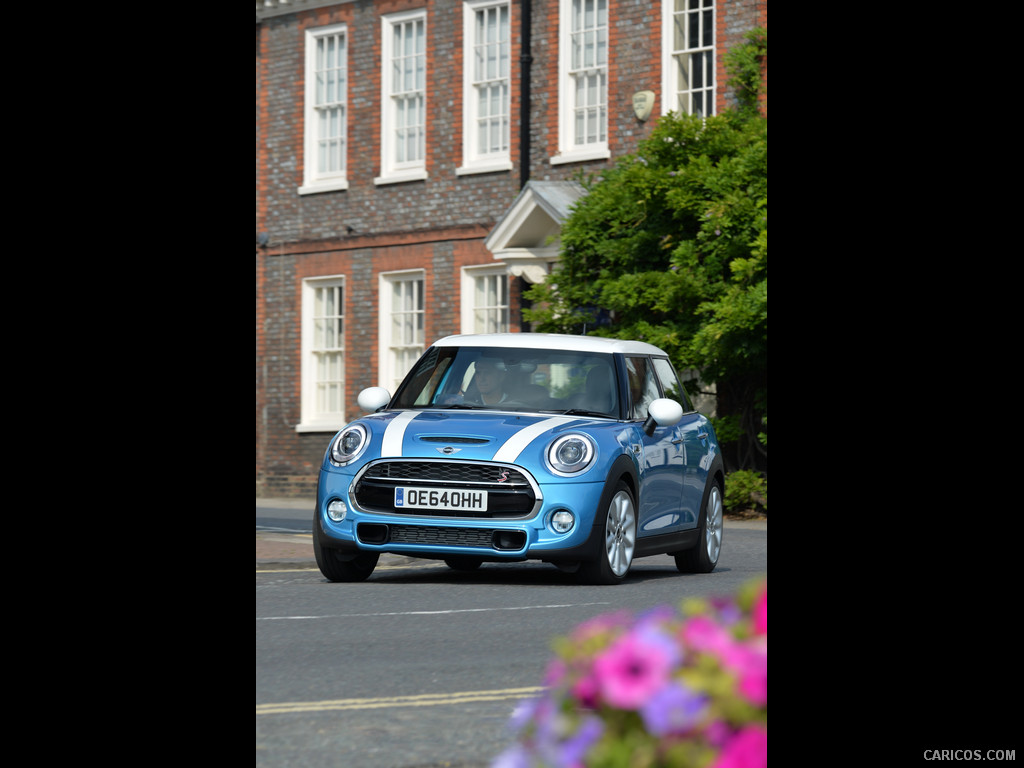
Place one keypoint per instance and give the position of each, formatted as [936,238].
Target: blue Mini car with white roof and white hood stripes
[577,451]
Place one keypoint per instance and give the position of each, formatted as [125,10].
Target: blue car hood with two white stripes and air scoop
[479,436]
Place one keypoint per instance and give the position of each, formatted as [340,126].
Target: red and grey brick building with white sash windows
[414,162]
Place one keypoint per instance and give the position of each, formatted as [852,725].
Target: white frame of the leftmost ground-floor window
[313,419]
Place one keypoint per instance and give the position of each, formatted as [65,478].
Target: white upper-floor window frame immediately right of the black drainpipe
[569,150]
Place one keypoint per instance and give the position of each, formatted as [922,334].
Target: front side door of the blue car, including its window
[662,456]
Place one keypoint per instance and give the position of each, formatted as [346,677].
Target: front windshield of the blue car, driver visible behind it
[513,379]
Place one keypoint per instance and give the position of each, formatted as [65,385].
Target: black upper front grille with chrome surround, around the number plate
[511,494]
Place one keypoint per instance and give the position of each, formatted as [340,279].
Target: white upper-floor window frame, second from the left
[392,170]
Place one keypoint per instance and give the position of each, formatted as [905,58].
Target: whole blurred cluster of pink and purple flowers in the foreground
[657,681]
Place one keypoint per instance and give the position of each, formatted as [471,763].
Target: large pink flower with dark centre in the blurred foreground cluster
[635,667]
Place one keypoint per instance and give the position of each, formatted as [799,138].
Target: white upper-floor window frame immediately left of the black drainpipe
[475,160]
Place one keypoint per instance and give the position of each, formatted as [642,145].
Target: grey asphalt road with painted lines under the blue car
[422,666]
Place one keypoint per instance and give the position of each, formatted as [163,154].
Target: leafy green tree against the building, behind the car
[671,247]
